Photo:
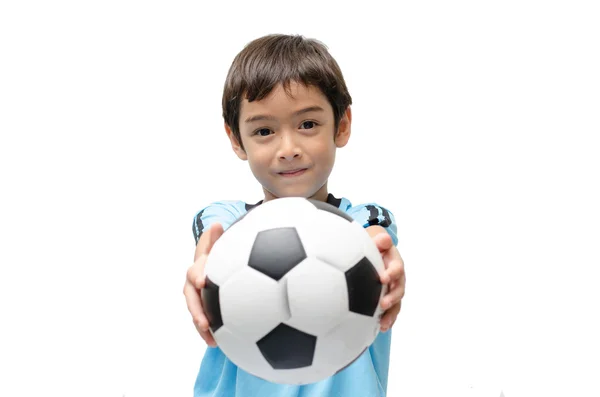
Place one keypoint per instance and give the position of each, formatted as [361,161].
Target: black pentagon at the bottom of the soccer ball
[287,348]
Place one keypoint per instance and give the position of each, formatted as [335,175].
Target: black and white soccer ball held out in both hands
[293,291]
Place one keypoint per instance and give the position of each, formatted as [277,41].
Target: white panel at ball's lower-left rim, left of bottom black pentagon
[242,353]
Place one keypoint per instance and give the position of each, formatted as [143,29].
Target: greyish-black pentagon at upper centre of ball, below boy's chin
[276,251]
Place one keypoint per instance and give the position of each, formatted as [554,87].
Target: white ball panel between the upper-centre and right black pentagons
[338,242]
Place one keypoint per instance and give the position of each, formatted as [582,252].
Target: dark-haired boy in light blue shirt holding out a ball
[287,110]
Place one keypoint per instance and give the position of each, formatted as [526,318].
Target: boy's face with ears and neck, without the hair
[282,134]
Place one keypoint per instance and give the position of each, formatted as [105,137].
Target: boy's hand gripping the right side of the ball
[394,277]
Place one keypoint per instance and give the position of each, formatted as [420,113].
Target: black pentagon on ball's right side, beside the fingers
[364,288]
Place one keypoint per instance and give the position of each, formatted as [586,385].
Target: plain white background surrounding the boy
[475,123]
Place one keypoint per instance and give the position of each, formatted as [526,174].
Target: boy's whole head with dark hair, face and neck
[286,107]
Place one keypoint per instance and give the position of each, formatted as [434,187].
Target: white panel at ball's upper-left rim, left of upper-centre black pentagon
[229,253]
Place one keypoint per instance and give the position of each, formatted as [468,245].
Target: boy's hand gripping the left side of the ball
[195,281]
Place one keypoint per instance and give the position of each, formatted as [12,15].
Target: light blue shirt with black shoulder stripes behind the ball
[367,376]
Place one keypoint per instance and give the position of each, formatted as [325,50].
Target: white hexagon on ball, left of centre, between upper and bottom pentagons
[252,304]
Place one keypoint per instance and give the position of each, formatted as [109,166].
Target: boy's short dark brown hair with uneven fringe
[281,59]
